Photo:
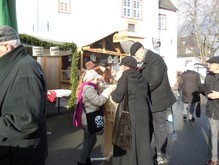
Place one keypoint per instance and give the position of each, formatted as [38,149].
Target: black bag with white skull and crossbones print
[95,120]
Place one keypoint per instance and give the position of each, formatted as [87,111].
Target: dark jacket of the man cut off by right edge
[212,107]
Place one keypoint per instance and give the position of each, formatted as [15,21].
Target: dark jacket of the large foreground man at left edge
[23,99]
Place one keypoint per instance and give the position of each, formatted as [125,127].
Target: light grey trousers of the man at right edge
[213,139]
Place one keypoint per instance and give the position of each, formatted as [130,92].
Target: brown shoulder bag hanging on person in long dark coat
[121,135]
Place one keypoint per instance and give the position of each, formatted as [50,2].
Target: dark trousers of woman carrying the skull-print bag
[89,142]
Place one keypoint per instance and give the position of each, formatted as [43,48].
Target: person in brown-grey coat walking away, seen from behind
[189,86]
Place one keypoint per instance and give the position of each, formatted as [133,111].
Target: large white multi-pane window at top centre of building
[132,9]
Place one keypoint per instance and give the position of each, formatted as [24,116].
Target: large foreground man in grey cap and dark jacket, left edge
[23,97]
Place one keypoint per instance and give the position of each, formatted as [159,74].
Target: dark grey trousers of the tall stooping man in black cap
[160,131]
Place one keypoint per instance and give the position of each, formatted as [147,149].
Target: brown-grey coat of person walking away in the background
[190,85]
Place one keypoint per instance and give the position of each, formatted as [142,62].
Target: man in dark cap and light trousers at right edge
[212,109]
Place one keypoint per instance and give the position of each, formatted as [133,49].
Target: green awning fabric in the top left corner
[8,14]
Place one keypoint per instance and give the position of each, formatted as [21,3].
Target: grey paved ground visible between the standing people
[188,146]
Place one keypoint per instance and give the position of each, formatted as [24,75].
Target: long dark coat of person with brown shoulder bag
[140,151]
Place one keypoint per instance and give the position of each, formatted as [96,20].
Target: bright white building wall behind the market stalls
[89,20]
